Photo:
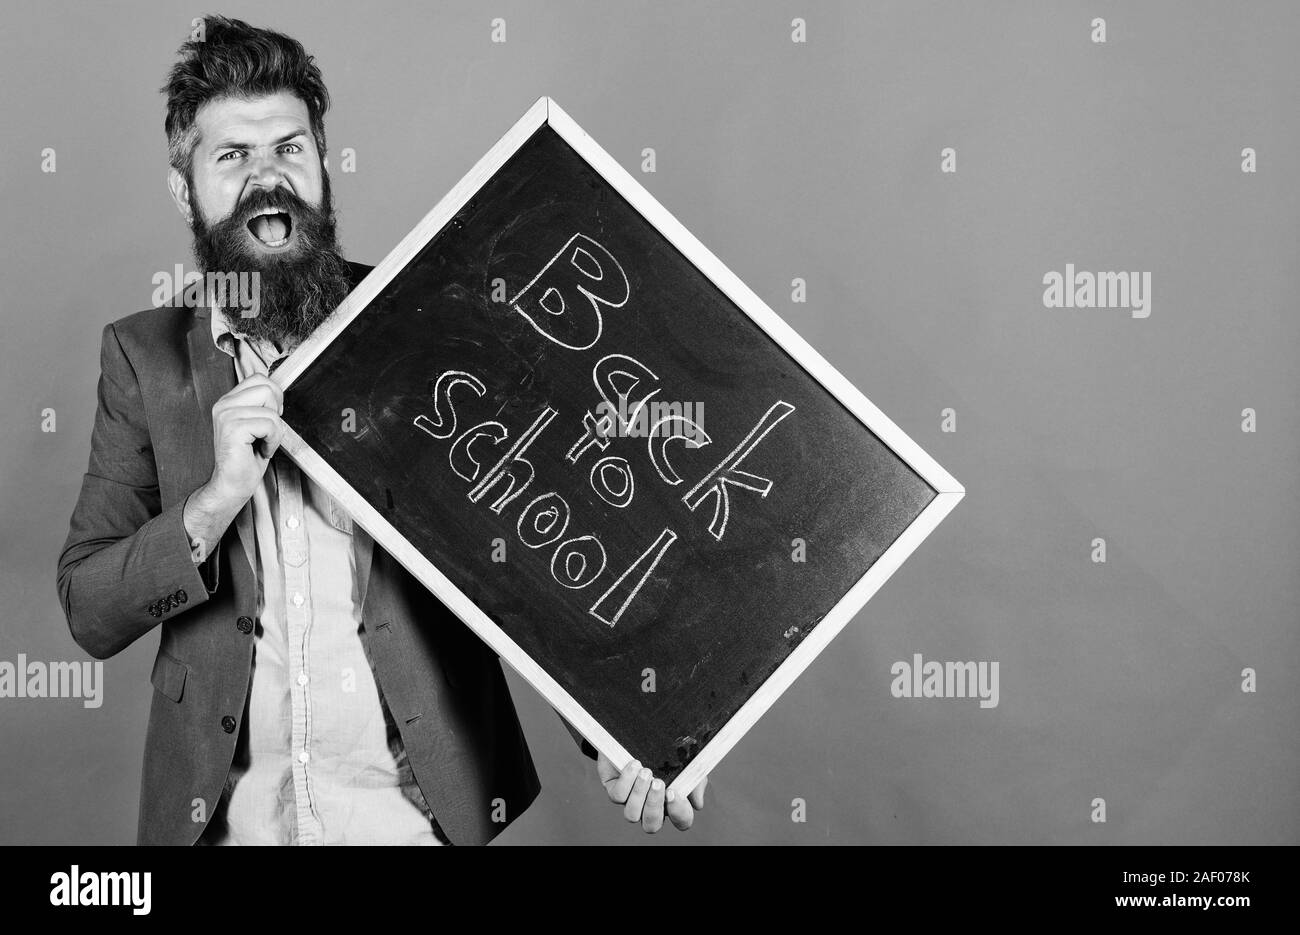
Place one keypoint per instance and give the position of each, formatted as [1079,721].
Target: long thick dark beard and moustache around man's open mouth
[300,288]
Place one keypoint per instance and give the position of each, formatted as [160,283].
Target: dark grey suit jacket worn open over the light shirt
[127,569]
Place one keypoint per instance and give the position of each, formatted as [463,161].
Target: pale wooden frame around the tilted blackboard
[948,491]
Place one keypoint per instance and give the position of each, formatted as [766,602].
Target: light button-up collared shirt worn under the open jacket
[319,757]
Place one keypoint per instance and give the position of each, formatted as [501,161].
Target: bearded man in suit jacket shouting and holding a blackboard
[309,690]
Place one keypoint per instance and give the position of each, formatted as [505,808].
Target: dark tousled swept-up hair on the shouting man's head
[231,59]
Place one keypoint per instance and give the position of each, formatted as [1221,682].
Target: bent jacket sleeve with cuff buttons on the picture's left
[127,565]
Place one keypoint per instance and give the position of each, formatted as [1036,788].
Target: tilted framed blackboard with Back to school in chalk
[605,454]
